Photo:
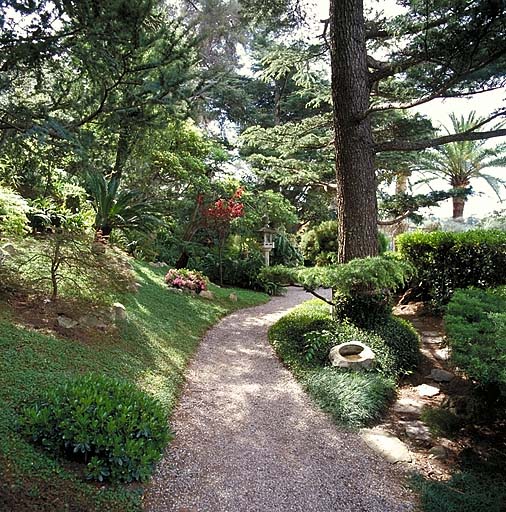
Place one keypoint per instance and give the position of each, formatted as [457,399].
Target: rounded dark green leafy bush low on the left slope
[117,430]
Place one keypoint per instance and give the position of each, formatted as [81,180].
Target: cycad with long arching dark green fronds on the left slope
[120,209]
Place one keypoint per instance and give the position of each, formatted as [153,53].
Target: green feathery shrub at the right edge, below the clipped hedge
[476,327]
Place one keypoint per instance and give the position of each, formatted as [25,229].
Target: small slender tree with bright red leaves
[218,218]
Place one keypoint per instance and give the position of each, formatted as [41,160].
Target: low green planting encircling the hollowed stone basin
[303,338]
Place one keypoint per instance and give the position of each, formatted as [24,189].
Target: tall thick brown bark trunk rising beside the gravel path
[356,180]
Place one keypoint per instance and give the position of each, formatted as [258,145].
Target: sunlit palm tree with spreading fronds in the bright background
[458,163]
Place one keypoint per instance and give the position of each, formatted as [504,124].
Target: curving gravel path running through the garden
[248,439]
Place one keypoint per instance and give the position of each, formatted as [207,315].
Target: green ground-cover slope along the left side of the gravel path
[153,349]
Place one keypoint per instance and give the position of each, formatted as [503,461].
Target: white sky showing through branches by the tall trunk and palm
[484,200]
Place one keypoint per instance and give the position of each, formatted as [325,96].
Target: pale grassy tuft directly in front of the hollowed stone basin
[352,398]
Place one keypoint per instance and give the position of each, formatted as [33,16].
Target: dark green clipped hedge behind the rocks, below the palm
[446,261]
